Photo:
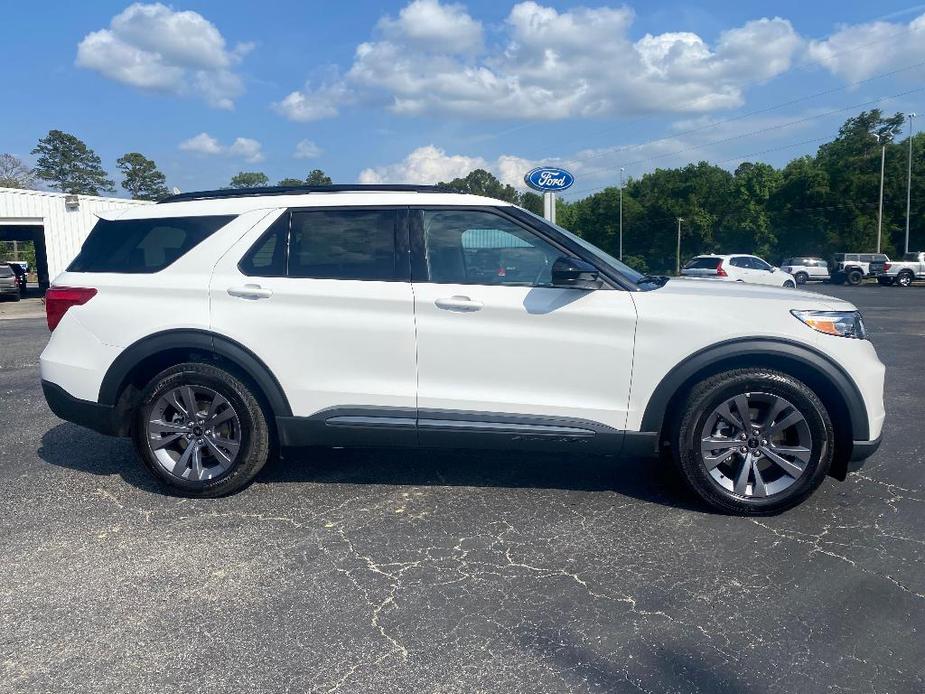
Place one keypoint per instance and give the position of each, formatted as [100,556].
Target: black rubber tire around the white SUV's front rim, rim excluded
[711,393]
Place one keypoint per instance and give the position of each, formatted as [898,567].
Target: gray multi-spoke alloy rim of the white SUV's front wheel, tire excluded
[756,445]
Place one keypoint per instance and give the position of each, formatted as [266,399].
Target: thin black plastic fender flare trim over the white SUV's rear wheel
[117,376]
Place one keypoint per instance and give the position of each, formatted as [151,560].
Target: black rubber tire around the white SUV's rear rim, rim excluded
[253,436]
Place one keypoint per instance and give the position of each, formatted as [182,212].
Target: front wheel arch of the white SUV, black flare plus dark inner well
[827,379]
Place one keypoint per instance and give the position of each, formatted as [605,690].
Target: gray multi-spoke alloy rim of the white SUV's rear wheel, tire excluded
[194,433]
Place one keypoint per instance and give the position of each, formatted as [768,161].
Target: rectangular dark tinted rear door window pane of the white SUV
[344,244]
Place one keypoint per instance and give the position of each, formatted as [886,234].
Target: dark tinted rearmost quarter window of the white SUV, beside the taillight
[138,246]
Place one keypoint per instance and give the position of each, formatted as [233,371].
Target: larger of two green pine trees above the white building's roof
[69,165]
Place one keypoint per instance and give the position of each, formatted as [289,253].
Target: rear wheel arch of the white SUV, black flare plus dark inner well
[147,357]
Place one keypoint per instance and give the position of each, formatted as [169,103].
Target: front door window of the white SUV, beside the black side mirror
[473,247]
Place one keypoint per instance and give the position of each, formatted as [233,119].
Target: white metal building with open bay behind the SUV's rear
[58,223]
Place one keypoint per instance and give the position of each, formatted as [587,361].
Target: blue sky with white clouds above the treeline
[423,90]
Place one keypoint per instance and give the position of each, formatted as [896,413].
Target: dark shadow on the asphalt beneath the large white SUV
[77,448]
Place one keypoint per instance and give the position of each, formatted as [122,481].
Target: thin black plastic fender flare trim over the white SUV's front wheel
[830,372]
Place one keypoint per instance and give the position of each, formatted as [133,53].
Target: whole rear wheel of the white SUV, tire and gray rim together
[201,430]
